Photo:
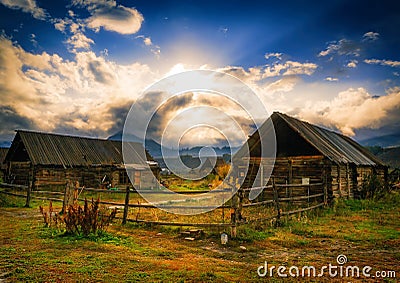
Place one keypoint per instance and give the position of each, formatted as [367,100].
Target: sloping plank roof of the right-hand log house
[336,147]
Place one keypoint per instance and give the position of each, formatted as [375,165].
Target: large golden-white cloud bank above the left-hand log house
[82,95]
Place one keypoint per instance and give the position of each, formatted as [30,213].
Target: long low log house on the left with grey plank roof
[49,160]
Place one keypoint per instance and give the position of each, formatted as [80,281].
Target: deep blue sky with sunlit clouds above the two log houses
[76,66]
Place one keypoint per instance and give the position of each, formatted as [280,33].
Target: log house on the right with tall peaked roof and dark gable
[307,153]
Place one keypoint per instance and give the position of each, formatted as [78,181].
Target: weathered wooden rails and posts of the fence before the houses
[237,203]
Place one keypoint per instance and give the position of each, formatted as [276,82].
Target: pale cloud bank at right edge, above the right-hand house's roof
[353,109]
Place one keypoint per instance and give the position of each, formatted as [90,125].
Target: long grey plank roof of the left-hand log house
[67,151]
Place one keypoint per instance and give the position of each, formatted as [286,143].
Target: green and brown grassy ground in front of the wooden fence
[367,232]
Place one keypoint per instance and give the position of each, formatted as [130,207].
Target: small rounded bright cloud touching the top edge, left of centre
[110,16]
